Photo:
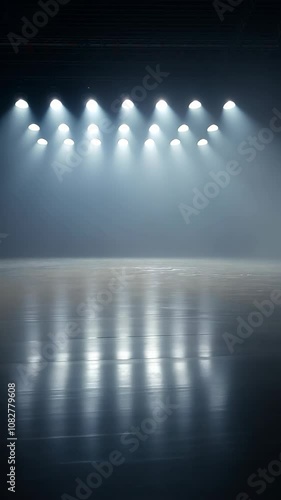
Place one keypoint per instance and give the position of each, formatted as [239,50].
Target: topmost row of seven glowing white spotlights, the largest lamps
[92,105]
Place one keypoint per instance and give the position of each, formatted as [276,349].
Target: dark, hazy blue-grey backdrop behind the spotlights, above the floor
[102,49]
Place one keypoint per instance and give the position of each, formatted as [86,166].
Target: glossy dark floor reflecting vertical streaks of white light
[132,381]
